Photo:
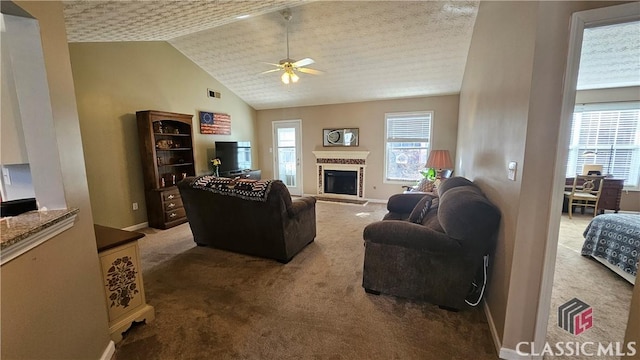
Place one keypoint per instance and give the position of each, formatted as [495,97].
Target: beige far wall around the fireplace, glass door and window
[369,118]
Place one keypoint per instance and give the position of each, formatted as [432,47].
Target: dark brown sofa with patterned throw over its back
[271,225]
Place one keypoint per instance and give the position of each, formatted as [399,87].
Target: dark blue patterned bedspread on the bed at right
[616,238]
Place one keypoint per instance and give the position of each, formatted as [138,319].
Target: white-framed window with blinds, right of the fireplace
[407,139]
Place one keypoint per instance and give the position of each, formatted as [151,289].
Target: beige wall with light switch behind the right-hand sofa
[493,121]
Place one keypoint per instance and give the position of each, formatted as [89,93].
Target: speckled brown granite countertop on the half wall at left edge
[16,228]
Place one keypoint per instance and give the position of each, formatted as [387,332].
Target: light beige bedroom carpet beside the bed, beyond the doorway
[584,278]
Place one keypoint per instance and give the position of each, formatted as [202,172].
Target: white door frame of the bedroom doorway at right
[579,21]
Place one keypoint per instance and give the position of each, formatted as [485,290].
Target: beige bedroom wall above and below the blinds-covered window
[630,200]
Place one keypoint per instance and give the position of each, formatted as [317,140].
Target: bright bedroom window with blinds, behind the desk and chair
[608,135]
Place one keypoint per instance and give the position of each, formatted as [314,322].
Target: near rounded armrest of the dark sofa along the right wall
[409,235]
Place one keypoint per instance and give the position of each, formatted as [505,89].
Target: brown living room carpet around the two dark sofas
[212,304]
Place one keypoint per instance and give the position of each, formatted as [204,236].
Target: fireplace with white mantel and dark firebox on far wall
[341,173]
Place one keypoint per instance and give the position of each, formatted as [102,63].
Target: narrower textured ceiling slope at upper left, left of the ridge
[143,20]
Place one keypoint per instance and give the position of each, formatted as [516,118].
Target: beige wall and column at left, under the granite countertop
[52,300]
